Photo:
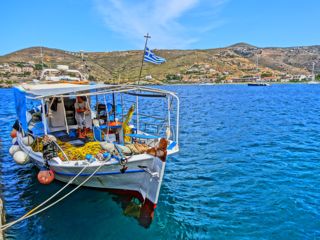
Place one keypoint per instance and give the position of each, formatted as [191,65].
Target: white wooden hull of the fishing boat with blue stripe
[143,175]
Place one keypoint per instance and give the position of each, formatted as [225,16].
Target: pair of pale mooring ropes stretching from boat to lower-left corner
[32,213]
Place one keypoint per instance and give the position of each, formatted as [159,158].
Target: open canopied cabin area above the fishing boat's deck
[79,114]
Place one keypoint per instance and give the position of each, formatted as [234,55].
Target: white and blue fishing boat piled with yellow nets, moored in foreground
[128,132]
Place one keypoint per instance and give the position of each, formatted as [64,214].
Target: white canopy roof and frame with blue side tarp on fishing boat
[44,92]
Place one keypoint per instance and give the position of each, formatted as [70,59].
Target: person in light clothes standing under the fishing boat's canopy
[82,115]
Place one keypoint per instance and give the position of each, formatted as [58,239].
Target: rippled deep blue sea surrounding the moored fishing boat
[248,168]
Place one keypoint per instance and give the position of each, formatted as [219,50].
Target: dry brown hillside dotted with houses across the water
[210,65]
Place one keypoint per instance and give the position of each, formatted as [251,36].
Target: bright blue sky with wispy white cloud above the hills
[112,25]
